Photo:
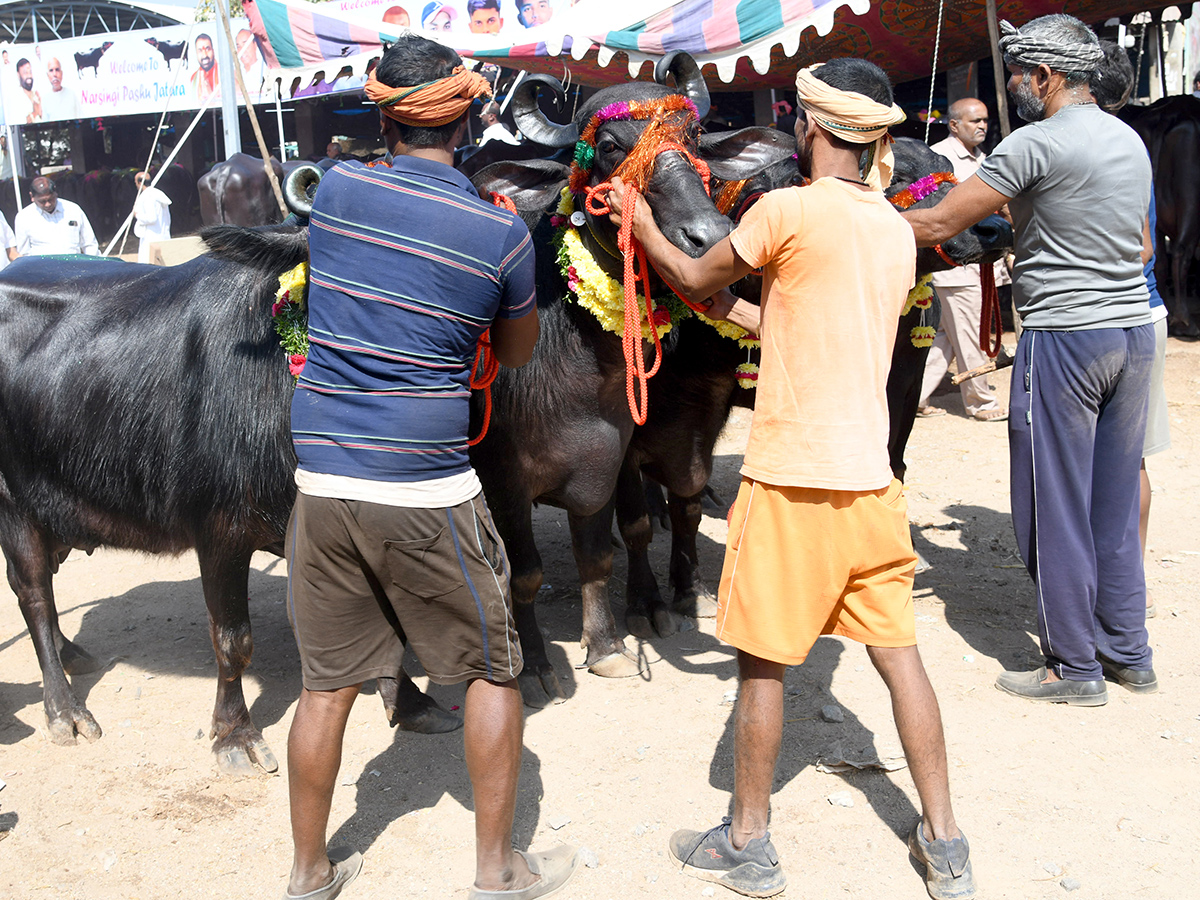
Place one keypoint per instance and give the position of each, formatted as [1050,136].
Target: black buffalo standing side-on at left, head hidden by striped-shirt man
[147,409]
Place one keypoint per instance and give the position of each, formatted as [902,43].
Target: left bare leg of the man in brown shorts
[315,755]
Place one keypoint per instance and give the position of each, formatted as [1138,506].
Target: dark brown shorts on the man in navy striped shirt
[364,579]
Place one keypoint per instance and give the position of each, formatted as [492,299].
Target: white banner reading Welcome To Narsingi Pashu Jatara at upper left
[175,68]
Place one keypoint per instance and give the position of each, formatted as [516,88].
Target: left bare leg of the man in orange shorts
[759,730]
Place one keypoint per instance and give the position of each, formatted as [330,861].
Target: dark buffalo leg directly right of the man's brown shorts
[538,682]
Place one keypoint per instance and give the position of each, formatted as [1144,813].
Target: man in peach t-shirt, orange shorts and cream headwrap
[819,537]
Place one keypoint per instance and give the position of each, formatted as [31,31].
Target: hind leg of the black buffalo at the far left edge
[28,555]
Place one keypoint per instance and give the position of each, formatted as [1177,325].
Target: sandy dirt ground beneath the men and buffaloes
[1097,803]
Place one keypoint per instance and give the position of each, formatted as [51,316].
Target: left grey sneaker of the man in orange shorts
[754,871]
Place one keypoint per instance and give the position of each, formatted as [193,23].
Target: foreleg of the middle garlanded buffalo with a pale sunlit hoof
[592,543]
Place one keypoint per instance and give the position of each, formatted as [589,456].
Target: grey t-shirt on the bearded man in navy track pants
[1081,185]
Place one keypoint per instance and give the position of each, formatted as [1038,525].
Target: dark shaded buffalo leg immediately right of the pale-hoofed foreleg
[644,602]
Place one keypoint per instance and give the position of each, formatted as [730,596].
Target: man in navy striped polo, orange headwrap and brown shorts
[391,539]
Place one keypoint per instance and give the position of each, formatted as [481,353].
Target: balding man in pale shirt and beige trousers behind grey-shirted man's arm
[959,289]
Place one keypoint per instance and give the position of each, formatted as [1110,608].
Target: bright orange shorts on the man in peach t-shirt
[806,562]
